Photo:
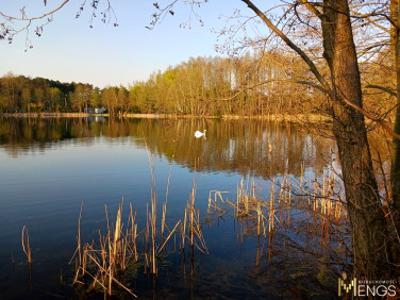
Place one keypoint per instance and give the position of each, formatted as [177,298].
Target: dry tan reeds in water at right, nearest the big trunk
[263,216]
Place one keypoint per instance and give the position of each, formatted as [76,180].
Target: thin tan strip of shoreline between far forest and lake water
[311,118]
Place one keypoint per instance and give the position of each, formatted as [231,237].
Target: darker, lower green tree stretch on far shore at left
[21,94]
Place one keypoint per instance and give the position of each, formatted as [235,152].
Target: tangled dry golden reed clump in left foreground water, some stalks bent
[101,264]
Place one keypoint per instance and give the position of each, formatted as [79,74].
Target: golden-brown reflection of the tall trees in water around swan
[237,145]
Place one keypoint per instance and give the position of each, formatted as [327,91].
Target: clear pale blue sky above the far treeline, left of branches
[70,51]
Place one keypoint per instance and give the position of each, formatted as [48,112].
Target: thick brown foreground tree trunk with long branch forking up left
[369,228]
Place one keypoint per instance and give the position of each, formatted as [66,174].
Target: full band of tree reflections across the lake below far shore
[255,147]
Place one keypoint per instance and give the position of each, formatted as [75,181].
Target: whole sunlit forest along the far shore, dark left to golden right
[258,84]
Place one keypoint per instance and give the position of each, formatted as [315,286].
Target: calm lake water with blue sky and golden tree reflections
[49,167]
